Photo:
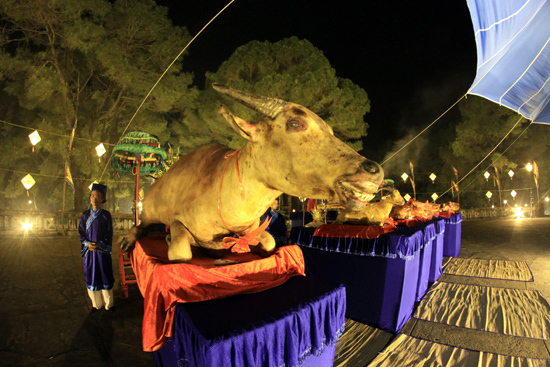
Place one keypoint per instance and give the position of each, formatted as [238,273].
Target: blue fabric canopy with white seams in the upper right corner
[513,55]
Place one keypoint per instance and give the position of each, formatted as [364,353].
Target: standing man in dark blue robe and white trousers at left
[96,234]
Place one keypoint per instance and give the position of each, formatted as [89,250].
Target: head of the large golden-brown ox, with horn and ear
[296,152]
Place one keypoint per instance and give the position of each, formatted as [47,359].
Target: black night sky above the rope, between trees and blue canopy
[413,58]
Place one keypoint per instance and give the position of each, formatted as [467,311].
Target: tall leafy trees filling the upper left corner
[90,64]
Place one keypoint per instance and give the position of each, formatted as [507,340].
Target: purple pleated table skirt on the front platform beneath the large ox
[295,324]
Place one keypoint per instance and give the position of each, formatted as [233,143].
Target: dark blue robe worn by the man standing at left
[97,226]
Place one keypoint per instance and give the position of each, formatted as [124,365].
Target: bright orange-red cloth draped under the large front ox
[163,284]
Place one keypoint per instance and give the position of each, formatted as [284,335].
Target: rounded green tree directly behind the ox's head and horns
[291,69]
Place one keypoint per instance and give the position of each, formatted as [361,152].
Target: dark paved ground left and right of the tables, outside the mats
[44,307]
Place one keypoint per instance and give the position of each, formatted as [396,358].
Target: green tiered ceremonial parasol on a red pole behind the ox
[138,153]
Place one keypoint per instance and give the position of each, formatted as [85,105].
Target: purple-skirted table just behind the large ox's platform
[380,275]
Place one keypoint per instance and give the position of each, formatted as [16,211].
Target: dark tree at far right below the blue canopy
[483,125]
